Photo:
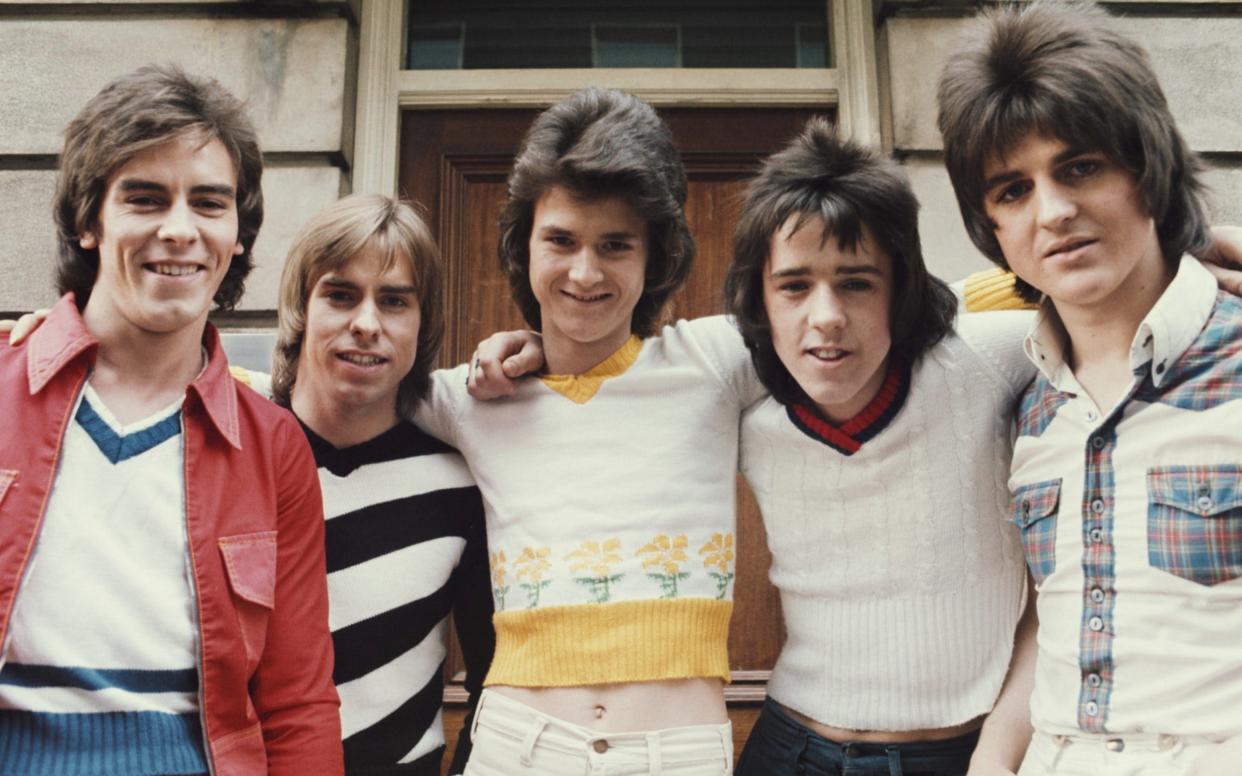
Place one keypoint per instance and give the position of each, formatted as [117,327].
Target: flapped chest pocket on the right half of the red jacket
[250,563]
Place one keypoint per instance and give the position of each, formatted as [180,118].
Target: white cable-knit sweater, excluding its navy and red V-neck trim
[901,579]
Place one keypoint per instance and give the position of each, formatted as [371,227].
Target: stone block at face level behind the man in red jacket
[28,259]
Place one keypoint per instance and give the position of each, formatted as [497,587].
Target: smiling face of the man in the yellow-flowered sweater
[588,269]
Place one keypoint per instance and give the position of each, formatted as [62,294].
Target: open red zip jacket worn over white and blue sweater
[255,522]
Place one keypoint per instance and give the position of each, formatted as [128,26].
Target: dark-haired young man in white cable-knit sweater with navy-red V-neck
[880,464]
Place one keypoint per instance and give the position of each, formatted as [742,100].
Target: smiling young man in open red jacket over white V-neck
[163,607]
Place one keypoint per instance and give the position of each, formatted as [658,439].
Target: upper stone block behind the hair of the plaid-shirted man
[1199,63]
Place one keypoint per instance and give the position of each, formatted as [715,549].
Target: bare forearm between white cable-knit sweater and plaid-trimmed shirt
[1007,732]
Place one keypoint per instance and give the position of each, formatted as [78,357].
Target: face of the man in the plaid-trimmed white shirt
[1074,225]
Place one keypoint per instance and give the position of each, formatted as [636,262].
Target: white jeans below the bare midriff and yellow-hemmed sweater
[512,738]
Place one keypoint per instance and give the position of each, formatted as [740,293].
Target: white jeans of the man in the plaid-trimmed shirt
[1107,756]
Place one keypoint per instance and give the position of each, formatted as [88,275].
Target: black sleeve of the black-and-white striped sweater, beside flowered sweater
[473,618]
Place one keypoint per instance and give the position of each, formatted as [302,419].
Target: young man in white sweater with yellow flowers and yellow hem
[609,484]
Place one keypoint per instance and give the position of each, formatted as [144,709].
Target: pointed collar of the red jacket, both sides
[63,340]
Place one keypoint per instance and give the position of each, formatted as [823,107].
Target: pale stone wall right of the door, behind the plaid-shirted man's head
[1195,48]
